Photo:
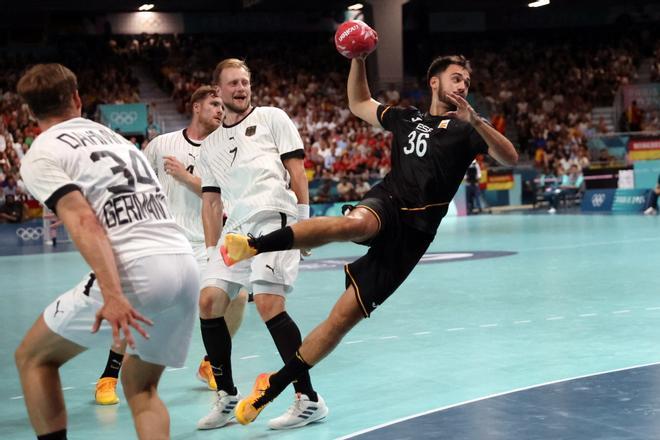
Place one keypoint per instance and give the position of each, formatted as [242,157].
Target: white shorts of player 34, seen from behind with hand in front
[164,288]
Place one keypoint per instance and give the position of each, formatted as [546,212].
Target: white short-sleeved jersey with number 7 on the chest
[244,162]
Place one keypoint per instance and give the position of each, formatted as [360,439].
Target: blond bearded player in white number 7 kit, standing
[255,163]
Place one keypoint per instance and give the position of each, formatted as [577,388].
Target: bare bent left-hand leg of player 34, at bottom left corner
[38,359]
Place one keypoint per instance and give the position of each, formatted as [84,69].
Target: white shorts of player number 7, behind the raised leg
[270,272]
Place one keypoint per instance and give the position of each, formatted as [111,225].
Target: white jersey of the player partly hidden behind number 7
[185,205]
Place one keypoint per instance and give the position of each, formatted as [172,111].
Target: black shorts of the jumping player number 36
[392,255]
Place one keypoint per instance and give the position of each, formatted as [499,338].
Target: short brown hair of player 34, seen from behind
[47,89]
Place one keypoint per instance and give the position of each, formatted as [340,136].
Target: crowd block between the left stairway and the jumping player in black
[343,154]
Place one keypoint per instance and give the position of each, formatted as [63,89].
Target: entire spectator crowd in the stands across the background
[539,92]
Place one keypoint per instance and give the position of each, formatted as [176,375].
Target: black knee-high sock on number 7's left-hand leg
[217,342]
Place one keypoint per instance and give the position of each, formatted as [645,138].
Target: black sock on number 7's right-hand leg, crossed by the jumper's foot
[287,339]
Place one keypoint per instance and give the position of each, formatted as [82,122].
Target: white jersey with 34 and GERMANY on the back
[114,177]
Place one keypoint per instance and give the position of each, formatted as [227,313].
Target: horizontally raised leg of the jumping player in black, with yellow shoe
[361,224]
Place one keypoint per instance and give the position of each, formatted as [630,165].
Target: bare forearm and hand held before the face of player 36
[499,147]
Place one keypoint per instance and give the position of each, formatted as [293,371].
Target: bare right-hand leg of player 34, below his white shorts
[140,381]
